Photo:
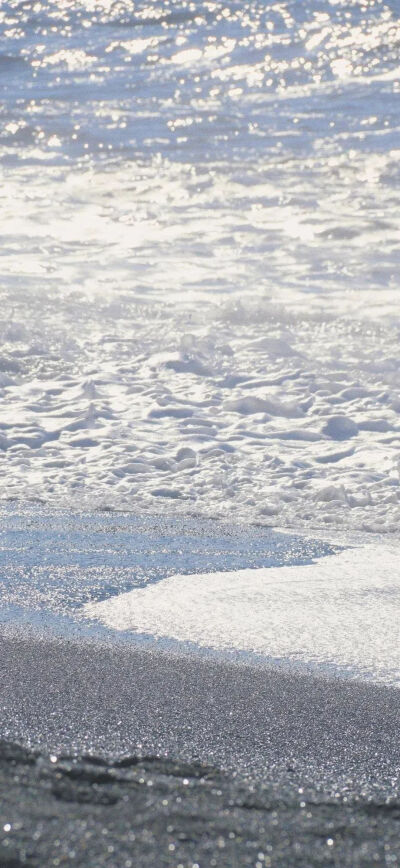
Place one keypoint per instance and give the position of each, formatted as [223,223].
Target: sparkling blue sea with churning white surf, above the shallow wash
[200,259]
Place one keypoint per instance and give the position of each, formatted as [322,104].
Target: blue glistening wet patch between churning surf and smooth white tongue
[52,562]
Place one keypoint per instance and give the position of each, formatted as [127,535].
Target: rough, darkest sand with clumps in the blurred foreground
[153,811]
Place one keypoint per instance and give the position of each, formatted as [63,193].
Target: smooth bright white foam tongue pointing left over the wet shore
[342,612]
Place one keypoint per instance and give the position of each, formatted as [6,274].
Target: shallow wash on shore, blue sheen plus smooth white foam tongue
[191,587]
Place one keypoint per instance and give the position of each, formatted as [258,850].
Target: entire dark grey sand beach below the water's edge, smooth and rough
[311,766]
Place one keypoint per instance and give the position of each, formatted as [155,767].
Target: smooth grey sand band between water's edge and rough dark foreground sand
[74,696]
